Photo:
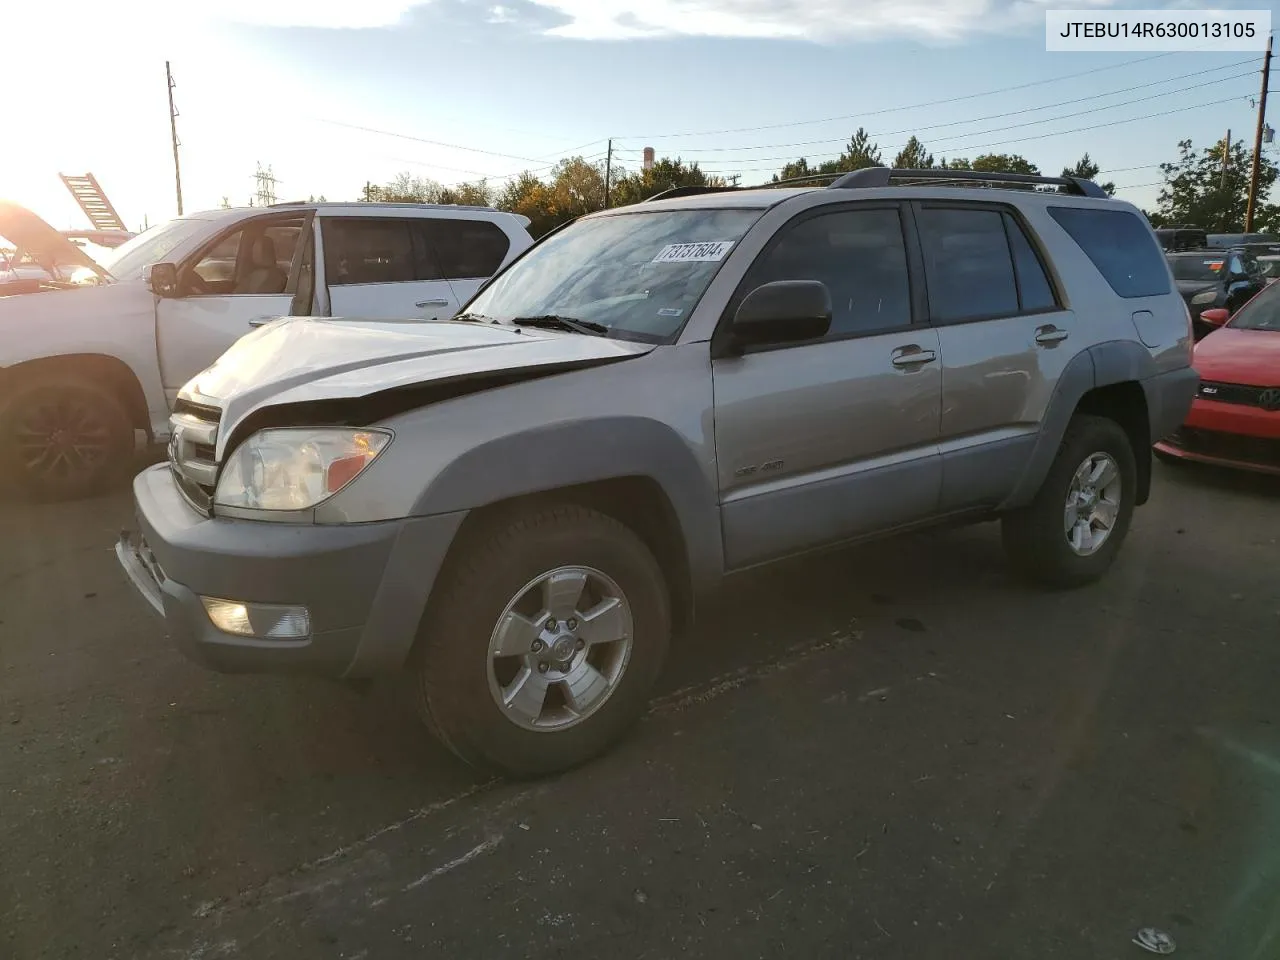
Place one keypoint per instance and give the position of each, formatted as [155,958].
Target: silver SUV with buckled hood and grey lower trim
[520,505]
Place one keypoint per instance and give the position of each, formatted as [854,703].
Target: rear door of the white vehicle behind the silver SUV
[383,268]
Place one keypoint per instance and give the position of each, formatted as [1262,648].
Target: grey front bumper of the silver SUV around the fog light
[365,586]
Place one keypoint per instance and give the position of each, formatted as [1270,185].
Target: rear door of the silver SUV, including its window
[1005,340]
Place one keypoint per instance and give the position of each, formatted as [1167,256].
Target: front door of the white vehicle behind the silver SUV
[255,272]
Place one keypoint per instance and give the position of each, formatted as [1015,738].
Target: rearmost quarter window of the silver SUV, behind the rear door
[1121,246]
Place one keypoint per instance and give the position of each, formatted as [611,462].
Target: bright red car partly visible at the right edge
[1236,418]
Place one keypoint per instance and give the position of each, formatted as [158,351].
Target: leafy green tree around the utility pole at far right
[1199,191]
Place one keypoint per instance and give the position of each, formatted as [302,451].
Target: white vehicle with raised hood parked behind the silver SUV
[85,367]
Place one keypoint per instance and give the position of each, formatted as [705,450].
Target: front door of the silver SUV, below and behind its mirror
[830,440]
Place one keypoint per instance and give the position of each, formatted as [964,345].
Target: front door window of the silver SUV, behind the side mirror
[862,259]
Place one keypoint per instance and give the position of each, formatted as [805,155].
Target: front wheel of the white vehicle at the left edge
[40,426]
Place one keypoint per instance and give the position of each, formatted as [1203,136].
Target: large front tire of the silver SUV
[504,566]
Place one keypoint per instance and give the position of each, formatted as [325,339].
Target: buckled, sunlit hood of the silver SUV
[309,362]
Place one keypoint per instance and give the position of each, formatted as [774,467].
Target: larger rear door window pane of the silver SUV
[968,264]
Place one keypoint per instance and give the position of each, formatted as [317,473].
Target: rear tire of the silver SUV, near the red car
[1036,537]
